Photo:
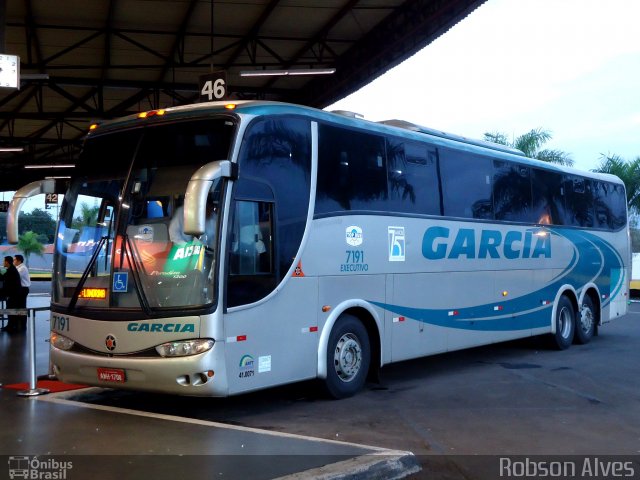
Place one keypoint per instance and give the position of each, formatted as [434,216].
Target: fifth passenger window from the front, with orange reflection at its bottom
[548,202]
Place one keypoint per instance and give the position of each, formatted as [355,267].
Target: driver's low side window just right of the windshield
[251,259]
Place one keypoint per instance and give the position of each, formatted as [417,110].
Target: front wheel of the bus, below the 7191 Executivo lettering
[348,357]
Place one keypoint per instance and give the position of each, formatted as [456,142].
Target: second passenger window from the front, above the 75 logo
[413,178]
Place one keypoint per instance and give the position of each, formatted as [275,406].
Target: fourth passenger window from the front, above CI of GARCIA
[512,192]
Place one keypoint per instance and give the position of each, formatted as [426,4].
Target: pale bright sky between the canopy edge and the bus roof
[571,67]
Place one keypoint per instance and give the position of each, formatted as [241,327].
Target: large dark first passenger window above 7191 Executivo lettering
[352,172]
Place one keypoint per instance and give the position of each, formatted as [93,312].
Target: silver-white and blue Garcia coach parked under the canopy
[221,248]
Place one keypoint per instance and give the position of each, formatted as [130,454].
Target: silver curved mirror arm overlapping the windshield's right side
[195,199]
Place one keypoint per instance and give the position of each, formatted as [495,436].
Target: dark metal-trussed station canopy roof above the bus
[82,62]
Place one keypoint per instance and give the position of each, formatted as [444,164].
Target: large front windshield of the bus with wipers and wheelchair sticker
[120,241]
